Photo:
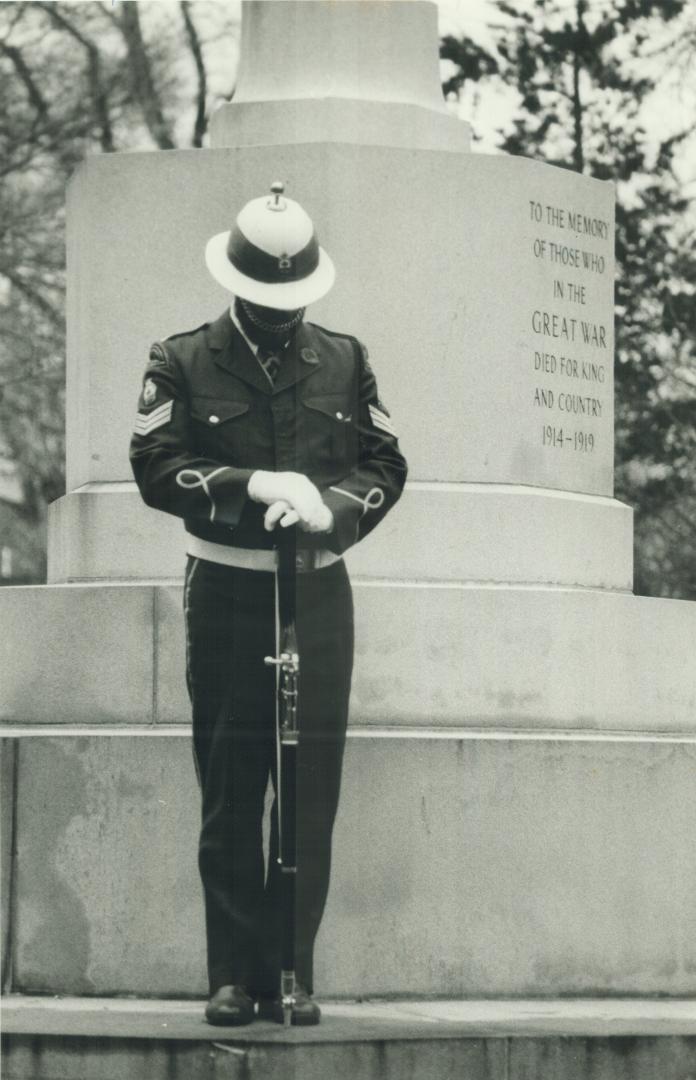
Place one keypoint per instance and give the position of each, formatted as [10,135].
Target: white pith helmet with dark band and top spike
[272,255]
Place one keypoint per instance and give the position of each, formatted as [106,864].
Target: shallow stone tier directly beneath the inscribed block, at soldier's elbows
[473,533]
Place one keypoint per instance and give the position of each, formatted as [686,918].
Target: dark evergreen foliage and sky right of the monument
[585,74]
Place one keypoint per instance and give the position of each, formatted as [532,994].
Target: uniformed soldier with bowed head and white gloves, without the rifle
[248,425]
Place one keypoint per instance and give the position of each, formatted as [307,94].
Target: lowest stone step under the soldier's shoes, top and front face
[590,1039]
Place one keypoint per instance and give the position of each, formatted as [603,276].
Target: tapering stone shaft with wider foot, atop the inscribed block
[340,73]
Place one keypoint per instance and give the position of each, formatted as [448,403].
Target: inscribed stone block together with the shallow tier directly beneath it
[503,394]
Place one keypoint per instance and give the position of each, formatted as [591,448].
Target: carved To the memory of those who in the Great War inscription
[572,359]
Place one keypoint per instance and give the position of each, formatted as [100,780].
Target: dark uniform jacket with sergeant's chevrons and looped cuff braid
[209,417]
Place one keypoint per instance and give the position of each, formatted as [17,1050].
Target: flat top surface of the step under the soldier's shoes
[124,1018]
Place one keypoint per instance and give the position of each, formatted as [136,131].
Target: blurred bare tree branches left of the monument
[76,78]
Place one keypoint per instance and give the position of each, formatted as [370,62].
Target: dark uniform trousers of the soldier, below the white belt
[231,628]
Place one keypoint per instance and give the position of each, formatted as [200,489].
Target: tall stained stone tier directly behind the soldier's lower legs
[465,866]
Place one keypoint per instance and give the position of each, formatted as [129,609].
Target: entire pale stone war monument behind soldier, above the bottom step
[518,715]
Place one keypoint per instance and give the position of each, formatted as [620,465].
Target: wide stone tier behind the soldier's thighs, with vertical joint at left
[438,654]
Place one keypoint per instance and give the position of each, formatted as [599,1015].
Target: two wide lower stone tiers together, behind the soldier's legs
[511,822]
